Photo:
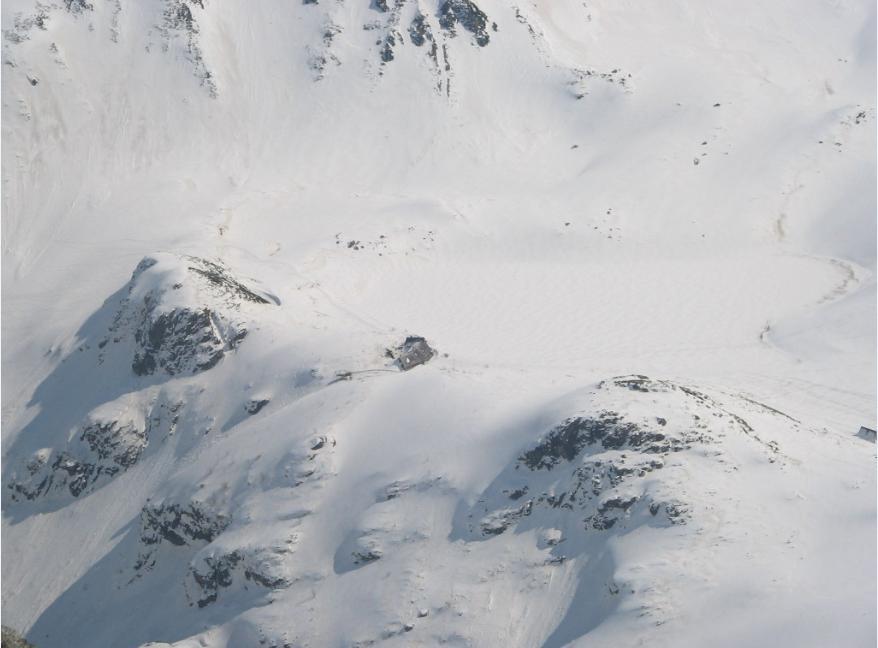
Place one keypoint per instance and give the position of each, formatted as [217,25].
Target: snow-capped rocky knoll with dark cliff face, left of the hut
[184,314]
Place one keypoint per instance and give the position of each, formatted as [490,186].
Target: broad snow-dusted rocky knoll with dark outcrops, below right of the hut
[599,467]
